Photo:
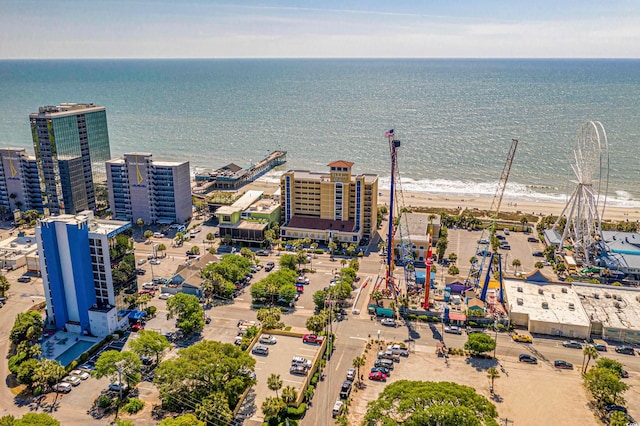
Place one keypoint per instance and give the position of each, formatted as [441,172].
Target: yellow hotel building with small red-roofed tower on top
[325,206]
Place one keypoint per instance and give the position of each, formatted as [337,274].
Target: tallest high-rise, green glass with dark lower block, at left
[71,143]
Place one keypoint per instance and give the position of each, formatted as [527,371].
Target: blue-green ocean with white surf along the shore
[455,118]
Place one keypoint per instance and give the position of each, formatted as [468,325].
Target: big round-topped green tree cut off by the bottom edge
[430,403]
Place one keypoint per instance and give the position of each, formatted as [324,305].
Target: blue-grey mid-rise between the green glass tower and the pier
[154,191]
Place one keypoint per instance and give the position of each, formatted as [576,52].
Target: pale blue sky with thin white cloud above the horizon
[293,29]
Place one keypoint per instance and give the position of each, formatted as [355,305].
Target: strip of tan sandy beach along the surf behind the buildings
[420,199]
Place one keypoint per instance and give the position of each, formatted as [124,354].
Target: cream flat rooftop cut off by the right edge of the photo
[614,307]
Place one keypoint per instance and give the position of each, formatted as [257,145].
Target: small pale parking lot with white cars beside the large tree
[279,362]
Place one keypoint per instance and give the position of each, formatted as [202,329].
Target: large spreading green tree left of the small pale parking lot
[202,369]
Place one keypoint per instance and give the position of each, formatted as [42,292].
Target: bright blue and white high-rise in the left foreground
[88,267]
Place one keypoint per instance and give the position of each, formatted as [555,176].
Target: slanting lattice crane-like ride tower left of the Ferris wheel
[484,242]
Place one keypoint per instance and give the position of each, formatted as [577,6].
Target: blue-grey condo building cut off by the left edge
[19,182]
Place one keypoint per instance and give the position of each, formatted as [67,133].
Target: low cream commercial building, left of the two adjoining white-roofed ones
[546,308]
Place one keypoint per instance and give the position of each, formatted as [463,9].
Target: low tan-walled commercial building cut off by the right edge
[614,312]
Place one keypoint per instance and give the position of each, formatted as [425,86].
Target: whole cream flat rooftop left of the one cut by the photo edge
[562,303]
